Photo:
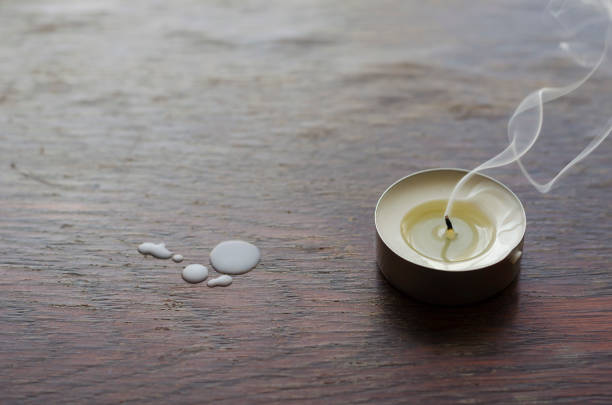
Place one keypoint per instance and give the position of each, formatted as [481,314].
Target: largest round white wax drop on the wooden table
[234,257]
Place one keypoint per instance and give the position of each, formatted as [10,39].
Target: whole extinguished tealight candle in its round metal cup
[415,254]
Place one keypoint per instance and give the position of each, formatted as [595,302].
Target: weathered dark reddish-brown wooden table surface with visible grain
[281,122]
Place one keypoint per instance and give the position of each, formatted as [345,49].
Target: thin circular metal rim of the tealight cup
[455,170]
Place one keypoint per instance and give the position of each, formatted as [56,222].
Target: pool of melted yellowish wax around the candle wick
[424,230]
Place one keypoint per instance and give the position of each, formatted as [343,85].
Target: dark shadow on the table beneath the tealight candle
[469,324]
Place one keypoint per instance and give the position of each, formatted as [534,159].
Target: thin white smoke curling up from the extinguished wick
[525,125]
